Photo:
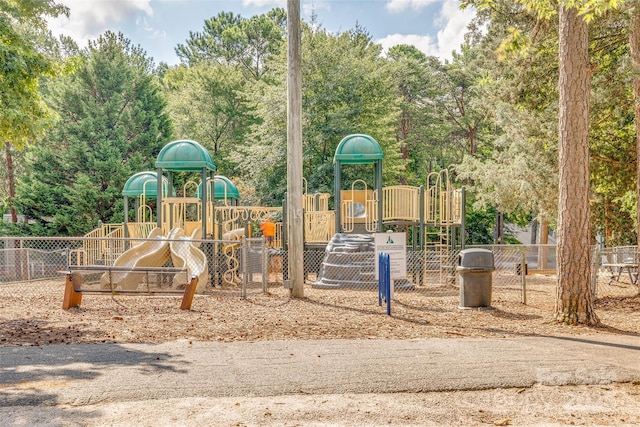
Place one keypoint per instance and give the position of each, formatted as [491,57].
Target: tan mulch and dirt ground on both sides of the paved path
[31,314]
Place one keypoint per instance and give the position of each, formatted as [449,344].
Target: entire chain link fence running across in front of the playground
[248,266]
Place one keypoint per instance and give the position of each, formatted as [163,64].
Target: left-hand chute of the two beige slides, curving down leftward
[151,253]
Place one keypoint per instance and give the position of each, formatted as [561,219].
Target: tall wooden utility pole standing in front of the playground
[295,216]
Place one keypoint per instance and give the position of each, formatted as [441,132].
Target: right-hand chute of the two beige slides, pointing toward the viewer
[185,253]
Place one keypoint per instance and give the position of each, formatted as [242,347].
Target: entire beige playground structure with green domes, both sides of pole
[432,216]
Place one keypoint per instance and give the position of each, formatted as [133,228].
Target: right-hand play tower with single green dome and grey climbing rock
[434,218]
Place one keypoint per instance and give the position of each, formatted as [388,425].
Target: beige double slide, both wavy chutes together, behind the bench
[155,252]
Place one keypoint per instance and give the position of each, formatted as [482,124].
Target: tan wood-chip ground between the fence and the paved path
[31,314]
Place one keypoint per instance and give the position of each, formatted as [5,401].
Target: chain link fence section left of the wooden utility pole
[230,267]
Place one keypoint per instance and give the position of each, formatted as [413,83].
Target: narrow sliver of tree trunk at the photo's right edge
[634,44]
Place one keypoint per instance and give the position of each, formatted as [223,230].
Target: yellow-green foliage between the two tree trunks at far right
[612,132]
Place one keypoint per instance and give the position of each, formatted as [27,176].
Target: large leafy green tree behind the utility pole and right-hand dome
[346,90]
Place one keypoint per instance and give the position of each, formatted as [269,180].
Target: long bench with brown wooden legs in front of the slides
[73,289]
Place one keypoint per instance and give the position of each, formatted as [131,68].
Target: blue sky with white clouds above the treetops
[436,27]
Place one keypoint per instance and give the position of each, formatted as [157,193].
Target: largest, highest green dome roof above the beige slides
[184,155]
